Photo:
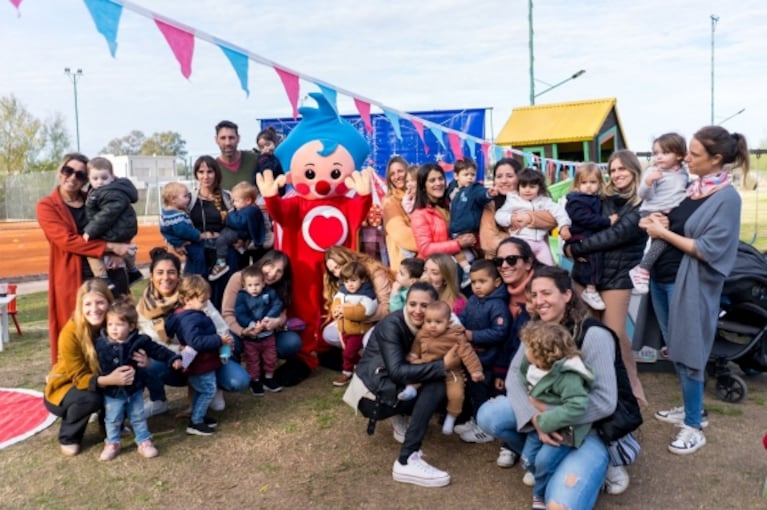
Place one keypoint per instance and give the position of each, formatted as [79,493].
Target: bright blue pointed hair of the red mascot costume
[323,124]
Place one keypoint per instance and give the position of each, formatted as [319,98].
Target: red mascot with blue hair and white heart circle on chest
[321,153]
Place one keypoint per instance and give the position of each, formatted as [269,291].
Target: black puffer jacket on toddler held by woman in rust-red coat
[110,214]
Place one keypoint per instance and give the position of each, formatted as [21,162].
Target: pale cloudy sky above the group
[654,56]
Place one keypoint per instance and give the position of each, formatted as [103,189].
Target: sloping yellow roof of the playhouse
[555,123]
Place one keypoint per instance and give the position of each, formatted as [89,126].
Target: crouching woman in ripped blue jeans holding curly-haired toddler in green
[579,477]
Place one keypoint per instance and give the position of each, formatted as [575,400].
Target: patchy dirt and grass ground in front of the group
[305,448]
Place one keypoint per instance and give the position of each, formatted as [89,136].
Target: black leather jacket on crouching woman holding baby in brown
[383,367]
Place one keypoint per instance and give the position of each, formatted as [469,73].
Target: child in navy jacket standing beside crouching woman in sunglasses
[487,320]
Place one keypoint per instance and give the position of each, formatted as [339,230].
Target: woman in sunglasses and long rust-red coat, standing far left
[61,216]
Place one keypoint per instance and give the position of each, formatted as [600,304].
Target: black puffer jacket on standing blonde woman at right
[622,246]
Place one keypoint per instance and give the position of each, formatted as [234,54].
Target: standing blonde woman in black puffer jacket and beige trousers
[622,246]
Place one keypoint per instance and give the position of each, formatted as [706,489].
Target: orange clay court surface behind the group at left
[24,249]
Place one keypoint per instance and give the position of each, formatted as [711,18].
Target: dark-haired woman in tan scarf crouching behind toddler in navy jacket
[160,299]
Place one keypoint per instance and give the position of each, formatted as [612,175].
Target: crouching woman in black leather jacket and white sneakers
[385,371]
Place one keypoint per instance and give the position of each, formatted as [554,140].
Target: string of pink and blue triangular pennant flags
[181,40]
